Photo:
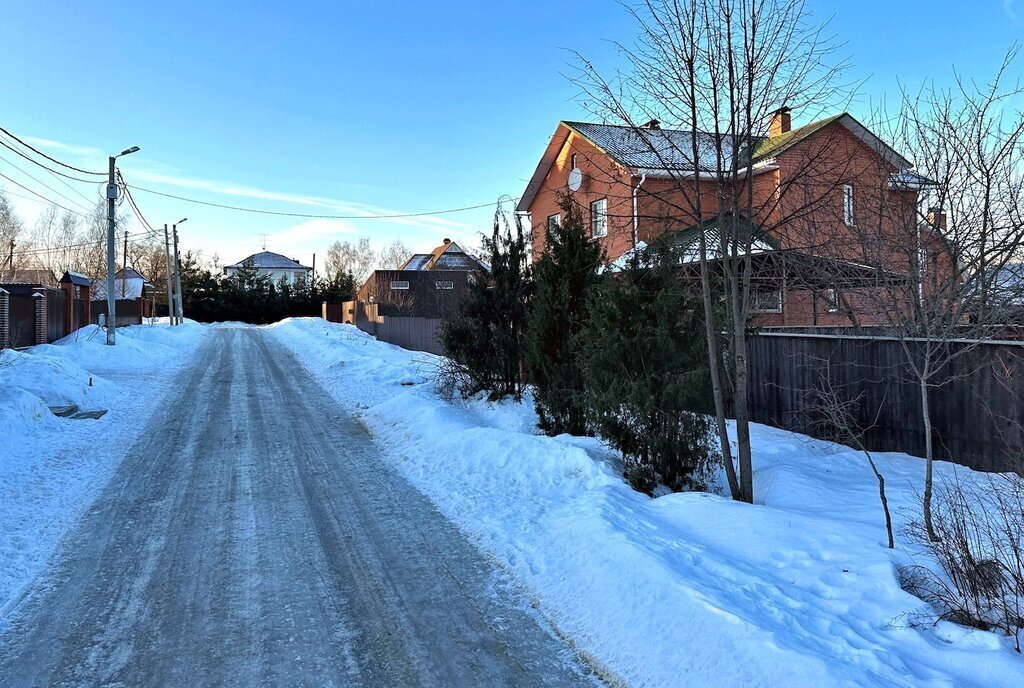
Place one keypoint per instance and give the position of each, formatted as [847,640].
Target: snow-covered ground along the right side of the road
[688,589]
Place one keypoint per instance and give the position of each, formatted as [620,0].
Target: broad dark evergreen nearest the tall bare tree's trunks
[644,359]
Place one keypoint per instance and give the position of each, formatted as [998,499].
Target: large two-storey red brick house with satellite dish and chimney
[816,192]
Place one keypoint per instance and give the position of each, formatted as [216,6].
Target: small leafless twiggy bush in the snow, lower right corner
[980,553]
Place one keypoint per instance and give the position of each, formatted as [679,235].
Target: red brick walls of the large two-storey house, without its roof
[800,205]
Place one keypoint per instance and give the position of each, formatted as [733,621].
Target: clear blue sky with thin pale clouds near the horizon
[348,108]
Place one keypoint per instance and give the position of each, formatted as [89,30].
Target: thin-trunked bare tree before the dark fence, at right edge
[953,272]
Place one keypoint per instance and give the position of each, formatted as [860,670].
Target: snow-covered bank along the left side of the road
[53,468]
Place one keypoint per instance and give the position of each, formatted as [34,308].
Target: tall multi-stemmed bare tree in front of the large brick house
[719,69]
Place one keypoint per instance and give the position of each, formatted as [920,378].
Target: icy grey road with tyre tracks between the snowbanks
[253,538]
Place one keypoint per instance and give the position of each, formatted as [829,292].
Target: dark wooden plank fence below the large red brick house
[976,406]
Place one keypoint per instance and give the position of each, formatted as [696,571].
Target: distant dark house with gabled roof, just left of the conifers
[429,285]
